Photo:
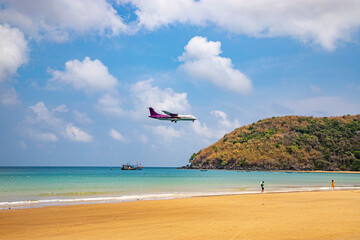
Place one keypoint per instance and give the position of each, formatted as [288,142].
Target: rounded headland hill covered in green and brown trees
[287,143]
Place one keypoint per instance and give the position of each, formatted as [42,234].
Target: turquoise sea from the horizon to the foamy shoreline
[26,187]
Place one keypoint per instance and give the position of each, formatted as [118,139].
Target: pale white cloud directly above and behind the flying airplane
[146,95]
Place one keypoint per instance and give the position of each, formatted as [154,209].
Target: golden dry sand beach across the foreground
[308,215]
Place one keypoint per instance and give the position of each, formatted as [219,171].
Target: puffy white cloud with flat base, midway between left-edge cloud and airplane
[88,75]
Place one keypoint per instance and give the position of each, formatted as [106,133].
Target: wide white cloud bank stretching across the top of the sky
[320,22]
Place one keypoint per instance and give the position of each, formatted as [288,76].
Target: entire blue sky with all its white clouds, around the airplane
[77,77]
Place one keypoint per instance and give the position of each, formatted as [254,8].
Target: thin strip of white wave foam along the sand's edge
[154,196]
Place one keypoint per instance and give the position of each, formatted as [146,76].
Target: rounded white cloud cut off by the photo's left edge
[13,51]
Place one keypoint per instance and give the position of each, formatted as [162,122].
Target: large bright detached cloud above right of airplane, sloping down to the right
[202,61]
